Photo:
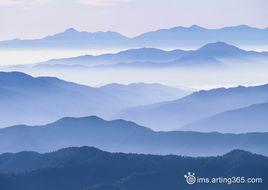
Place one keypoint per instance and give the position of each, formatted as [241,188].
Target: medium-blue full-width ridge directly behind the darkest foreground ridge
[124,136]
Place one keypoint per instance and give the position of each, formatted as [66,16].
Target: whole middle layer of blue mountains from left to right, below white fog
[41,100]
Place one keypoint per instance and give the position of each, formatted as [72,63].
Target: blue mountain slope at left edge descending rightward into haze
[44,99]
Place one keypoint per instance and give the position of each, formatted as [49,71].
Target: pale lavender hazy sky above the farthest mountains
[38,18]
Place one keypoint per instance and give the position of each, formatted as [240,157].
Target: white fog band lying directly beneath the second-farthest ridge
[194,78]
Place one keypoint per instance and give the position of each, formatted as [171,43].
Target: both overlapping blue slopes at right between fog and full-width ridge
[205,105]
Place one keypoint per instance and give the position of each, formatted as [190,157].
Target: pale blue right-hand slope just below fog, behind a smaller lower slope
[199,105]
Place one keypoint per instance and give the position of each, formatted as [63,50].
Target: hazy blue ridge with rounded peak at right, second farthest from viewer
[211,55]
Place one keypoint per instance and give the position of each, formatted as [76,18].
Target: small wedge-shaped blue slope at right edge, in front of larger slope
[253,118]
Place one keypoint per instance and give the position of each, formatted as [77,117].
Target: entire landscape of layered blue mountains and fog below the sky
[138,115]
